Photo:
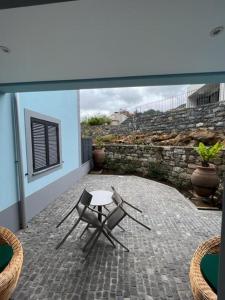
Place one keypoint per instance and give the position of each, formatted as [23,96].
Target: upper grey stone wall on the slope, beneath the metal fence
[211,116]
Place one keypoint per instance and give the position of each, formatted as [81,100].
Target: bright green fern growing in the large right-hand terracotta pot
[207,153]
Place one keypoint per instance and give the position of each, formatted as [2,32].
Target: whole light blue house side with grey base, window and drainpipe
[40,149]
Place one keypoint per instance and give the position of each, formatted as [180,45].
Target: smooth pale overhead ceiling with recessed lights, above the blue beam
[90,39]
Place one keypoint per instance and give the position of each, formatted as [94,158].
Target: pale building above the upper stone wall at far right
[199,94]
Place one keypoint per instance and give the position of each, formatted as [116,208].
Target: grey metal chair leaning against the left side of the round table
[86,214]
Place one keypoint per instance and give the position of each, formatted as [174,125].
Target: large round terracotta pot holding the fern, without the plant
[205,180]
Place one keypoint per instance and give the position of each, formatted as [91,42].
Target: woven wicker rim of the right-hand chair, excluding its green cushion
[200,288]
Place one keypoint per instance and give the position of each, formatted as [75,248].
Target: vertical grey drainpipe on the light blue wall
[18,161]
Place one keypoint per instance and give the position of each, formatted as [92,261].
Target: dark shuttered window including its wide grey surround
[43,143]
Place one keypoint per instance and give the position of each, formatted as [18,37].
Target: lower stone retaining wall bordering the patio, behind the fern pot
[173,164]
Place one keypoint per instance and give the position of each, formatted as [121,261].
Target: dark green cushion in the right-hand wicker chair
[209,268]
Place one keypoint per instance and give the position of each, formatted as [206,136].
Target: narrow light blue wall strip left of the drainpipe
[8,190]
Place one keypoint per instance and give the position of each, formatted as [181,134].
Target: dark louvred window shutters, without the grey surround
[45,144]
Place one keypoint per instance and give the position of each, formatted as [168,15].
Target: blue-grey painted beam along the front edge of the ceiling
[172,79]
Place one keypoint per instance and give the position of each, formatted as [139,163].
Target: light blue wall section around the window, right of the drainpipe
[61,105]
